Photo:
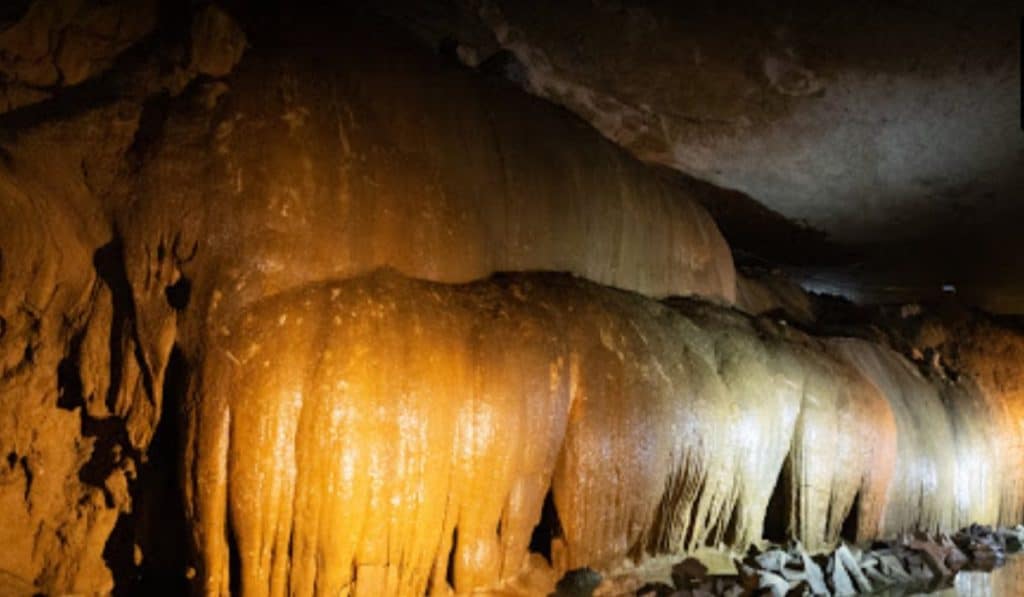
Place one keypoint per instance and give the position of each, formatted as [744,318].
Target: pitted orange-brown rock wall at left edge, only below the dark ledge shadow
[61,336]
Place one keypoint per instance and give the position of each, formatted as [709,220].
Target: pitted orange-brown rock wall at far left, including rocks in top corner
[81,399]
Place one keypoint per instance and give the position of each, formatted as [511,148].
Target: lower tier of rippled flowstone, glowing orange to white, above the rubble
[386,436]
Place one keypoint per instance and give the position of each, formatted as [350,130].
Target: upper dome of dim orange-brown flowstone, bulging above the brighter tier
[308,169]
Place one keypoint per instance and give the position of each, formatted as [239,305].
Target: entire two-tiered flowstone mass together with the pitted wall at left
[371,323]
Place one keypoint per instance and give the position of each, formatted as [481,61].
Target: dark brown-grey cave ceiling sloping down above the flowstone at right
[891,127]
